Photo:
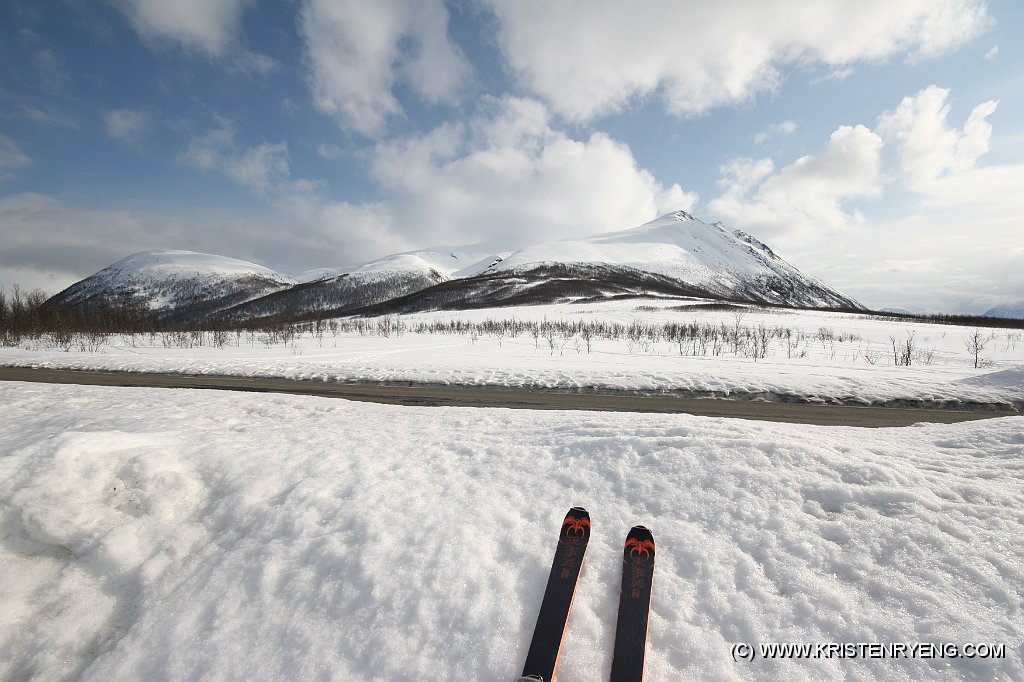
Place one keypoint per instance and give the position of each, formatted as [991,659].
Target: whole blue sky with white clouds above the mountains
[878,145]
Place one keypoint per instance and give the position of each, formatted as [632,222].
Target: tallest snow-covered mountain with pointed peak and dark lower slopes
[675,255]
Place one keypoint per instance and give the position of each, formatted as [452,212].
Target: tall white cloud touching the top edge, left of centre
[358,52]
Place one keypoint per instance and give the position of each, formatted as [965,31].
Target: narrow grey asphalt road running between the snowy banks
[482,397]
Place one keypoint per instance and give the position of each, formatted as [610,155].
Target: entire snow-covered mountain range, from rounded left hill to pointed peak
[676,255]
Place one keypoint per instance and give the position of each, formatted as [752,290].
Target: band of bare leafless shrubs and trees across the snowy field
[30,317]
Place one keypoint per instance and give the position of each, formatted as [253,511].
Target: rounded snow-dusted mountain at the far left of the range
[179,286]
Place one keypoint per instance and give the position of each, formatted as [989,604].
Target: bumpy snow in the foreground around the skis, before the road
[154,534]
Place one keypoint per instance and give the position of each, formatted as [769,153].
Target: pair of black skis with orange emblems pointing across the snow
[634,602]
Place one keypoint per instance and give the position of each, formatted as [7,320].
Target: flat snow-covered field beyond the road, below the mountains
[828,357]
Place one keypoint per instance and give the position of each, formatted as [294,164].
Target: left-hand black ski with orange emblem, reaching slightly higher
[542,660]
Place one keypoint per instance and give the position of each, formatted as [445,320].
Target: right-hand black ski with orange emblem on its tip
[634,607]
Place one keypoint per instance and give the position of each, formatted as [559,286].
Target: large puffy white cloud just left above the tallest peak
[506,174]
